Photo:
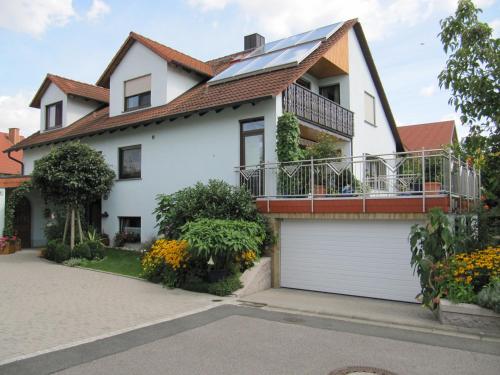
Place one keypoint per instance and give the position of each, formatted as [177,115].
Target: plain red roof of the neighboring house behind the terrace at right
[429,136]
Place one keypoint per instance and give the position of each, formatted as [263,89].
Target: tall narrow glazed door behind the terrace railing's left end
[252,155]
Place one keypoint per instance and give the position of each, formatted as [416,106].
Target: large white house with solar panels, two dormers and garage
[172,120]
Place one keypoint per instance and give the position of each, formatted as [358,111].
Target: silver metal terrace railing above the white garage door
[429,173]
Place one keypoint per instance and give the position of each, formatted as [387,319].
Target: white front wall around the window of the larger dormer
[137,62]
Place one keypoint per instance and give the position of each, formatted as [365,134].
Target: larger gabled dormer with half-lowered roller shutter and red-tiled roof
[145,74]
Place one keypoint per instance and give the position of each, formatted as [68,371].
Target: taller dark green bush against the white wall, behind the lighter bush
[215,200]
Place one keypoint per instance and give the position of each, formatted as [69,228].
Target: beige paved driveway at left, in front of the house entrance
[44,305]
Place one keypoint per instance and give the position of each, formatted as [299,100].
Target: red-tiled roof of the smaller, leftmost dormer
[71,87]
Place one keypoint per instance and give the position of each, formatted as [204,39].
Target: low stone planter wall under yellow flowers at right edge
[468,315]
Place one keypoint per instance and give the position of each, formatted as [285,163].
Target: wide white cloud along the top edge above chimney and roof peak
[279,18]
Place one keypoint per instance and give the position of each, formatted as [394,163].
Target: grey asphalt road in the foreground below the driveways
[243,340]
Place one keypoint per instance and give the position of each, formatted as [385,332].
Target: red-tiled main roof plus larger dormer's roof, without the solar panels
[204,97]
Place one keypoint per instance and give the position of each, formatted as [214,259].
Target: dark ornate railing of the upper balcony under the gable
[318,110]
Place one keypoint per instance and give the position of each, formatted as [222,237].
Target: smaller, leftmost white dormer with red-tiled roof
[63,101]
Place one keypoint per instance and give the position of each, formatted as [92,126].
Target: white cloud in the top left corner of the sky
[34,17]
